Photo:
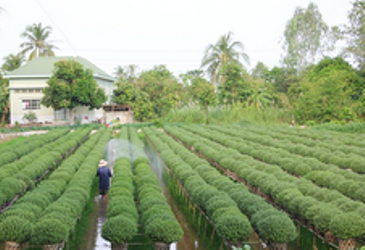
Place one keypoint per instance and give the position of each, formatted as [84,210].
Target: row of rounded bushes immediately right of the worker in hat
[122,214]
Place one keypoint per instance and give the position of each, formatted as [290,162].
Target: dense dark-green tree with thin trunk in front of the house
[71,86]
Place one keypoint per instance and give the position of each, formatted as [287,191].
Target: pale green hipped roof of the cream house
[43,66]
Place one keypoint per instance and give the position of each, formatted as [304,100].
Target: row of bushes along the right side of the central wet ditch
[230,224]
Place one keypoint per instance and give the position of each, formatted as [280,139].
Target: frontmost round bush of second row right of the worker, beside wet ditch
[164,230]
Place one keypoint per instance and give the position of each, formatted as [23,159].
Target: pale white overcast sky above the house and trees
[113,33]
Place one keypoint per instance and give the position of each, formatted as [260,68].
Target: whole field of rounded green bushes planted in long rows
[241,180]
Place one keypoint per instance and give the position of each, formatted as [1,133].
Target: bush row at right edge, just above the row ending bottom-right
[325,175]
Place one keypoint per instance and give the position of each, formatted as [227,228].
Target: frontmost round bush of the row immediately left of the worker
[49,231]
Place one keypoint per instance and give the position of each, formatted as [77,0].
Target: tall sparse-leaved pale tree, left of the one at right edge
[306,37]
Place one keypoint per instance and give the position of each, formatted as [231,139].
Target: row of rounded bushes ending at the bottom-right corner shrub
[327,210]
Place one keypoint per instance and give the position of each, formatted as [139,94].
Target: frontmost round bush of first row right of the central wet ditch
[234,227]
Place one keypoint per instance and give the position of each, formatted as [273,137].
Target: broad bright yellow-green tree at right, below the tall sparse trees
[328,92]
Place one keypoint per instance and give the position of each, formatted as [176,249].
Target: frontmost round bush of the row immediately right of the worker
[119,229]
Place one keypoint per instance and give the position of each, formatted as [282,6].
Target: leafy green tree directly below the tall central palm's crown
[235,87]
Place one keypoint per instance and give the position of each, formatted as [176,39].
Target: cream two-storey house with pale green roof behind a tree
[25,90]
